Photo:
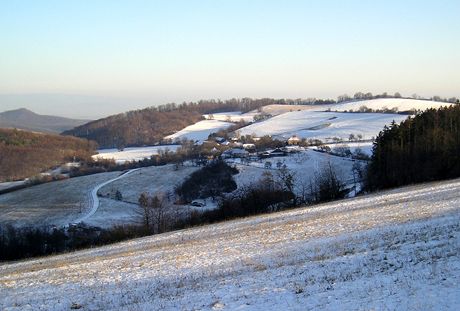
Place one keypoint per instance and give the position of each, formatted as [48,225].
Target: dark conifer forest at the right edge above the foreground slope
[422,148]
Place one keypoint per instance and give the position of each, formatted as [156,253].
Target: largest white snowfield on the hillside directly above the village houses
[322,125]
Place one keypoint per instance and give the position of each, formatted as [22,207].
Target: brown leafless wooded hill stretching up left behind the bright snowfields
[149,126]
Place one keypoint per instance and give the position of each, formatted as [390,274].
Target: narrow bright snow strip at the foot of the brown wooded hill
[133,153]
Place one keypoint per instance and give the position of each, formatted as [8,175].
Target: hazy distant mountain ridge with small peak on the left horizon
[28,120]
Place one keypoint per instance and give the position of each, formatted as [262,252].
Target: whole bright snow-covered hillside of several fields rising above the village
[311,121]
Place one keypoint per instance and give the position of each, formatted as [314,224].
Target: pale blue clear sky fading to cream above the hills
[90,58]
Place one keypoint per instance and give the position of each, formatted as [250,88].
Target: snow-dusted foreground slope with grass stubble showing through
[393,250]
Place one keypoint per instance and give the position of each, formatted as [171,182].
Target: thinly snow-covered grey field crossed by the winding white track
[73,200]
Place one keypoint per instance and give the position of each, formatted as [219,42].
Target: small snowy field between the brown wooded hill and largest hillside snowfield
[200,130]
